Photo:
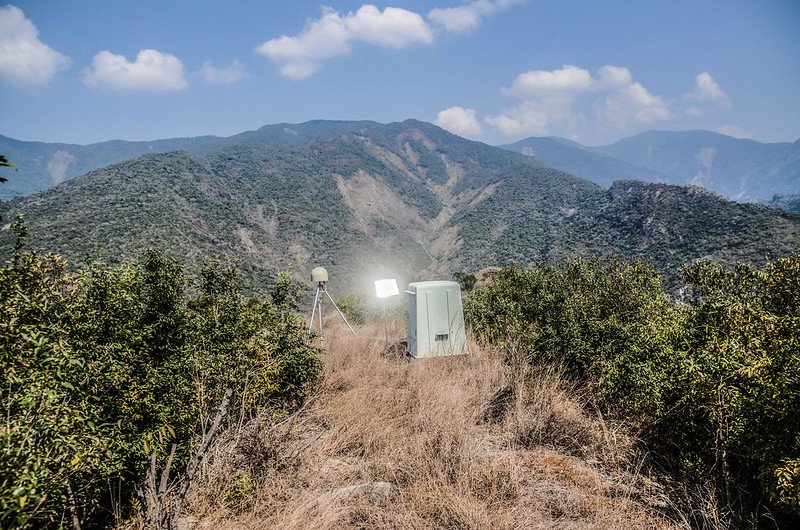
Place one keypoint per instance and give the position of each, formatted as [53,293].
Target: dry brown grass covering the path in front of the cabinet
[459,442]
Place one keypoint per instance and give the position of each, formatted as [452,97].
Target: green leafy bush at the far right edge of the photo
[741,378]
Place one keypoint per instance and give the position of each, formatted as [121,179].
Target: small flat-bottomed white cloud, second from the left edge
[152,70]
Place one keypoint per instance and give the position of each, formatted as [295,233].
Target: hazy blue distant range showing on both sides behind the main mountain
[739,169]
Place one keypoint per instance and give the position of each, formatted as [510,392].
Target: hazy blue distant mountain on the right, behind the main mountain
[738,169]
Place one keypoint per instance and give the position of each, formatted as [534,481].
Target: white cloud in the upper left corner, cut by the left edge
[24,59]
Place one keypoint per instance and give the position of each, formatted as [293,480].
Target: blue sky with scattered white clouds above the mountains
[491,70]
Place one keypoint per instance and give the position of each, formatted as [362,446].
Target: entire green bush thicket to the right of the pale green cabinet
[713,385]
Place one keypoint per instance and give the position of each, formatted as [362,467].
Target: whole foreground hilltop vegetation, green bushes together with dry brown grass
[589,399]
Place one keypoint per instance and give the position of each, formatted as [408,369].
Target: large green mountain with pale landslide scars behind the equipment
[407,199]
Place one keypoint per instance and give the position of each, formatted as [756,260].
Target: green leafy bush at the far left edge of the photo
[54,439]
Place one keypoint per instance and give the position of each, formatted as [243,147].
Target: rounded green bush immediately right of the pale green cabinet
[609,324]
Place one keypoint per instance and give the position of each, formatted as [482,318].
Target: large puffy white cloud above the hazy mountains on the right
[565,100]
